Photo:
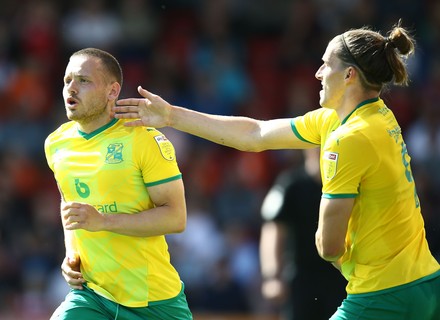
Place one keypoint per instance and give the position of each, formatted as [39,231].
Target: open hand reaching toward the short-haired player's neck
[151,111]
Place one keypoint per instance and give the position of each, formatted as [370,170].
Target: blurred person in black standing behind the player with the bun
[293,274]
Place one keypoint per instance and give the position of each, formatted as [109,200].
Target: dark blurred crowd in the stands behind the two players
[241,57]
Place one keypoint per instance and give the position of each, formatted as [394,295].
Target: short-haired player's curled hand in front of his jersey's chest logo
[75,215]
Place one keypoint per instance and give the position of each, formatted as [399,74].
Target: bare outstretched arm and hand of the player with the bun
[241,133]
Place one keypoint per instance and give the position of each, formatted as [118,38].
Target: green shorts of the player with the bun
[416,300]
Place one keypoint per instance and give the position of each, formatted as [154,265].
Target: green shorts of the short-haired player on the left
[87,305]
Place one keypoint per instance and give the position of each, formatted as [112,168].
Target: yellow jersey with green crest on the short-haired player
[110,169]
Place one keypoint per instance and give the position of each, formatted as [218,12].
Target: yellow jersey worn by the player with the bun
[365,157]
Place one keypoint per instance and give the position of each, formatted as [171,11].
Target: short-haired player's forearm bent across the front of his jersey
[153,222]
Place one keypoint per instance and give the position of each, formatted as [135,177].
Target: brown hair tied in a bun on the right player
[380,59]
